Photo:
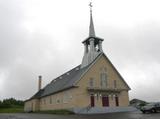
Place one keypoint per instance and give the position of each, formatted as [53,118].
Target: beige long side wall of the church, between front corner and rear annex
[61,100]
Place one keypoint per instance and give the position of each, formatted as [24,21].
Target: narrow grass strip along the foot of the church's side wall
[61,112]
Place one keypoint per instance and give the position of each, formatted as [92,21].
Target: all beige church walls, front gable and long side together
[80,97]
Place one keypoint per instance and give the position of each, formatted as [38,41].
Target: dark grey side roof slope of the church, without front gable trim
[63,82]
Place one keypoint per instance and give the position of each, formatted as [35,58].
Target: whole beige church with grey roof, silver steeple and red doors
[94,86]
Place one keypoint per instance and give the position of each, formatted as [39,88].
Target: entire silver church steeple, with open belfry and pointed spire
[92,45]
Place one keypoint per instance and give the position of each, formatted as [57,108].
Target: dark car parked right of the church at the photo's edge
[151,107]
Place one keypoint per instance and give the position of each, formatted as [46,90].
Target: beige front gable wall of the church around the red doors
[83,98]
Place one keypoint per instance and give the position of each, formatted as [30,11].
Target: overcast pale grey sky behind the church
[43,37]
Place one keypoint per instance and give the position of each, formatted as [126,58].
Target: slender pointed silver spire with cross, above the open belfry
[91,27]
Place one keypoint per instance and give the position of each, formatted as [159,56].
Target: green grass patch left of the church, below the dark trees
[12,110]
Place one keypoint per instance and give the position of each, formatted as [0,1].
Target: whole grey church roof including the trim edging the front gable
[69,80]
